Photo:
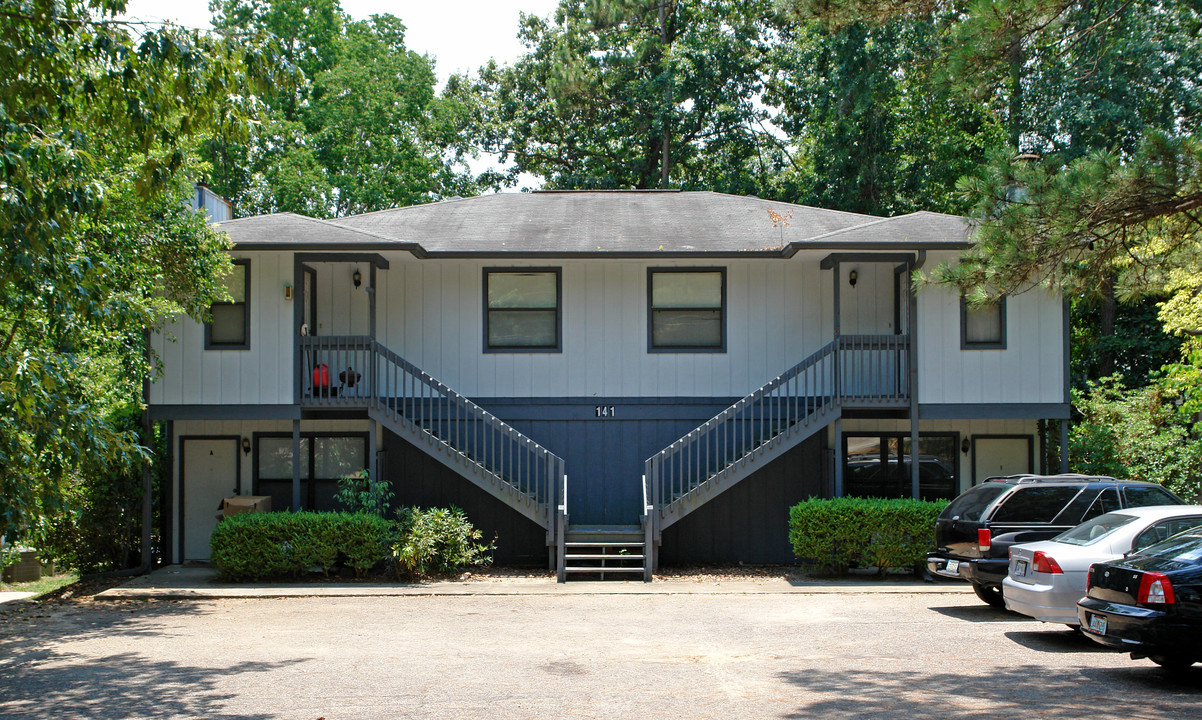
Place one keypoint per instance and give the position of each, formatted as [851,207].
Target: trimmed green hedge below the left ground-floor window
[267,545]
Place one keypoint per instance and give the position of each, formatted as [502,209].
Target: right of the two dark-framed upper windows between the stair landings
[687,311]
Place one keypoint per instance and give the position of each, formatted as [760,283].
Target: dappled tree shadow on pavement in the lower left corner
[41,680]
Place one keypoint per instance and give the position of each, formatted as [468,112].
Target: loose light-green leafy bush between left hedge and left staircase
[437,542]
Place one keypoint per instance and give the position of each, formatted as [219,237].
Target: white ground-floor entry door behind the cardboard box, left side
[211,473]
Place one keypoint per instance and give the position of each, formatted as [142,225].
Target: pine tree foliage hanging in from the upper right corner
[1102,98]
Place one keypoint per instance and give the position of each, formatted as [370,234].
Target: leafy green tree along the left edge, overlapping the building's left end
[96,127]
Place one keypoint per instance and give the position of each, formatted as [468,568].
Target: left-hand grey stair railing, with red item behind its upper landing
[358,371]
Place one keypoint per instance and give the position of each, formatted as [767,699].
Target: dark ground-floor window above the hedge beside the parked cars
[878,466]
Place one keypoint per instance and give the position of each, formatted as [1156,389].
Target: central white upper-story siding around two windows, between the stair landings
[432,313]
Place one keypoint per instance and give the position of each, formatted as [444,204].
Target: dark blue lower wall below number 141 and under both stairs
[605,461]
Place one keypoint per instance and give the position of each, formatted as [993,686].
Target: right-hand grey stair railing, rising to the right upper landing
[850,370]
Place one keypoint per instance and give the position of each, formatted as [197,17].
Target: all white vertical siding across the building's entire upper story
[431,312]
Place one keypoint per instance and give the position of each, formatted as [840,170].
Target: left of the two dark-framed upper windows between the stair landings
[522,311]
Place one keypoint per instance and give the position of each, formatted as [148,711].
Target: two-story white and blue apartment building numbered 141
[650,373]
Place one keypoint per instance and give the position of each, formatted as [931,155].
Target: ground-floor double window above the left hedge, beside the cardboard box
[324,460]
